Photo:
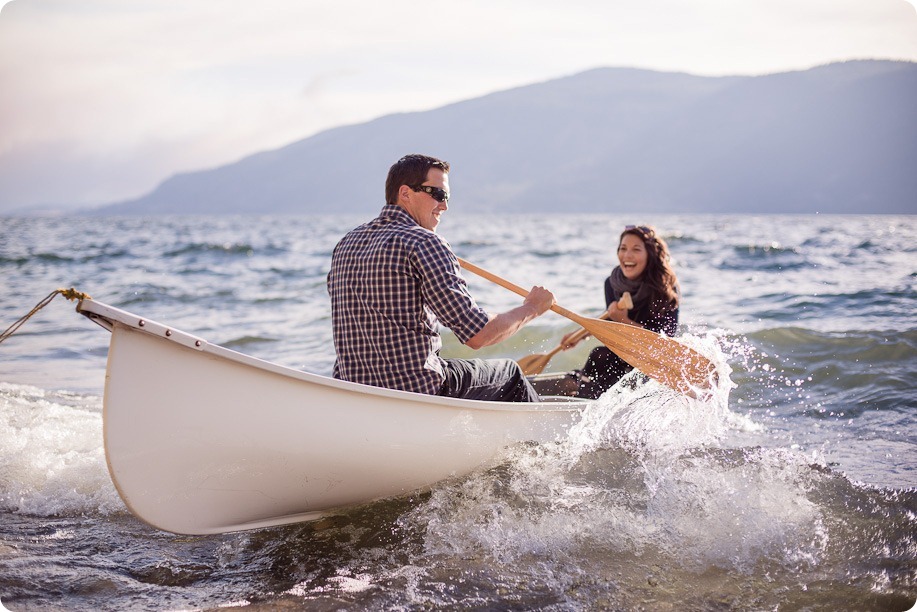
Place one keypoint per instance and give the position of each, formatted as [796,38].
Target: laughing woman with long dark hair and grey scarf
[644,270]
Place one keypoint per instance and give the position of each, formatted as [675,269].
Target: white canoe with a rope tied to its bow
[201,439]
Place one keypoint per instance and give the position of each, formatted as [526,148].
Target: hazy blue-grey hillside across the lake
[840,138]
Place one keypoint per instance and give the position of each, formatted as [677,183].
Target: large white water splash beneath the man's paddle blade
[641,475]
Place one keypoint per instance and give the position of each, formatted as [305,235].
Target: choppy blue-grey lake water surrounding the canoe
[795,487]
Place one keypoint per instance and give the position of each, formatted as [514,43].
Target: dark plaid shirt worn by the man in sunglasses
[391,283]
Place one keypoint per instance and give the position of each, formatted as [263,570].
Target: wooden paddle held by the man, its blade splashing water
[658,356]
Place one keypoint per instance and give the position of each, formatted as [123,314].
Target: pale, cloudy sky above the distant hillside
[101,100]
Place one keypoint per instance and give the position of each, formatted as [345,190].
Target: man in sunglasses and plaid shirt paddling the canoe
[394,280]
